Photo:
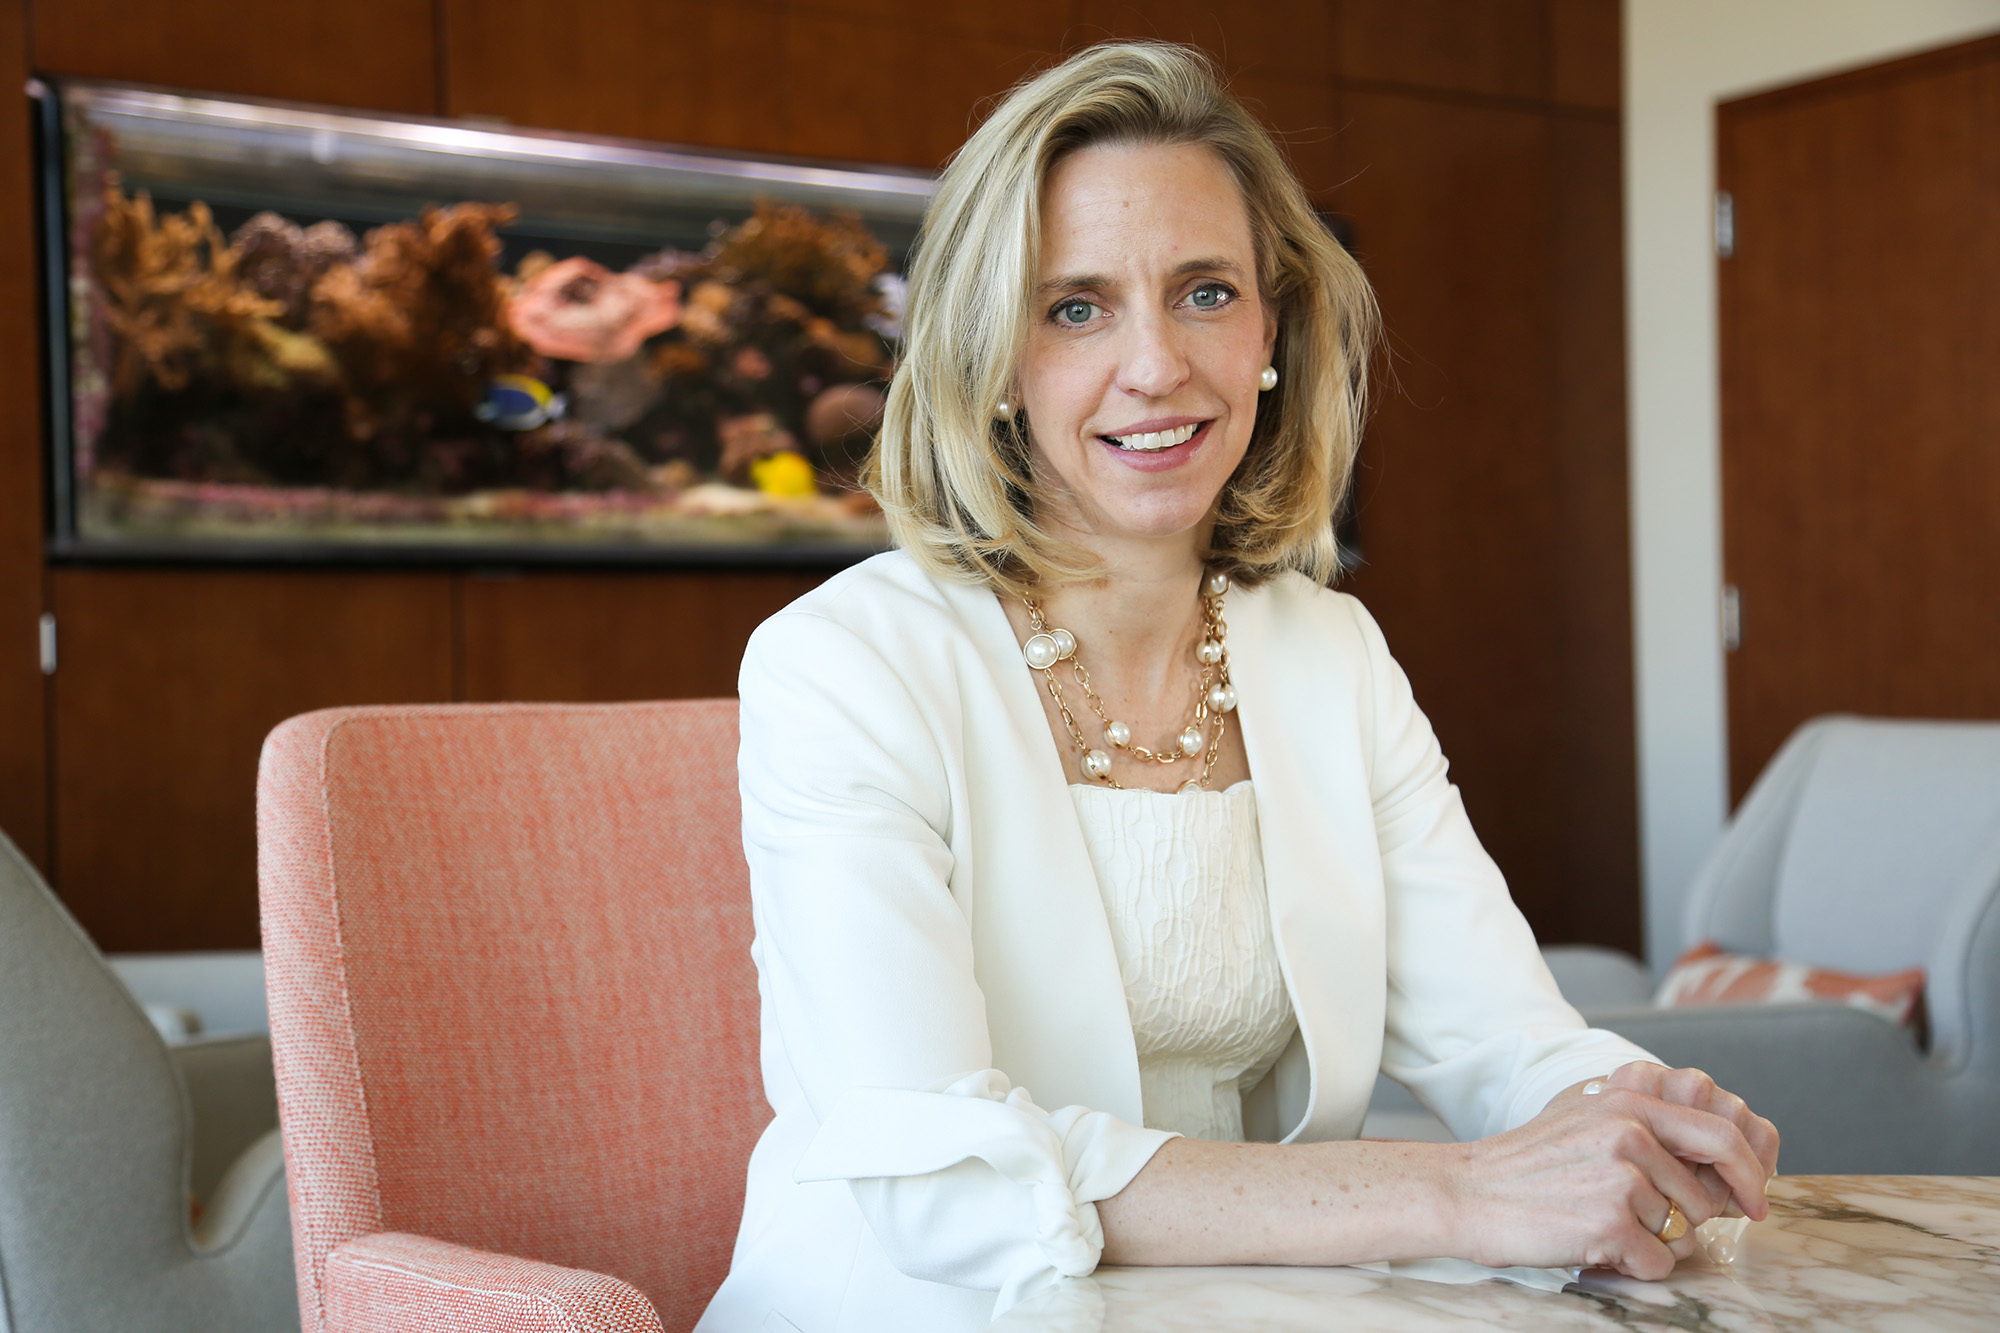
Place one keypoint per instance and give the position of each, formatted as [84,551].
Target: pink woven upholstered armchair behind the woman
[513,1012]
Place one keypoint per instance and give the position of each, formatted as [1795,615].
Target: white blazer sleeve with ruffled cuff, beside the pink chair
[869,978]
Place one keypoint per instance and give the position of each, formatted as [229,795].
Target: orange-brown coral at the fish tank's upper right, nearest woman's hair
[829,265]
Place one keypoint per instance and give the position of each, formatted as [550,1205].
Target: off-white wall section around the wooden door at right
[1681,57]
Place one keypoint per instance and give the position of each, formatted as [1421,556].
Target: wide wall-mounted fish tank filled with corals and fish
[289,333]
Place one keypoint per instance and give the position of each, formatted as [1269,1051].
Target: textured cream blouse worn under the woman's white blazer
[1183,884]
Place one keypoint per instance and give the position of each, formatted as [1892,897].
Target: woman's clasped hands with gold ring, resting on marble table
[1591,1180]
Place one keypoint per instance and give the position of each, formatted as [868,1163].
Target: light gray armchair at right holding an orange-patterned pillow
[1869,848]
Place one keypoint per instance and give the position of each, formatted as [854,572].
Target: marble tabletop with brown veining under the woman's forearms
[1881,1254]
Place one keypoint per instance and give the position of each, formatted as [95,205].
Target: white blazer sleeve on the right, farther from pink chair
[1475,1024]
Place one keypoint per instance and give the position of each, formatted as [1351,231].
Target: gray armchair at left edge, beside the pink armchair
[99,1162]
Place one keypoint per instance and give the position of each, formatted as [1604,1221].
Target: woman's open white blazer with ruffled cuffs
[937,968]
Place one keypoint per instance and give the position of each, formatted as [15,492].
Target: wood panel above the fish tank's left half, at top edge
[363,53]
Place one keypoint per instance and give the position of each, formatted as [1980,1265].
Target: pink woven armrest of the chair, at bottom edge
[395,1282]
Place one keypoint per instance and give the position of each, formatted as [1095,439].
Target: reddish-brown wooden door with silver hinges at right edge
[1861,397]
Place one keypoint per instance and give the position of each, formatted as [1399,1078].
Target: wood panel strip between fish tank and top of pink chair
[609,637]
